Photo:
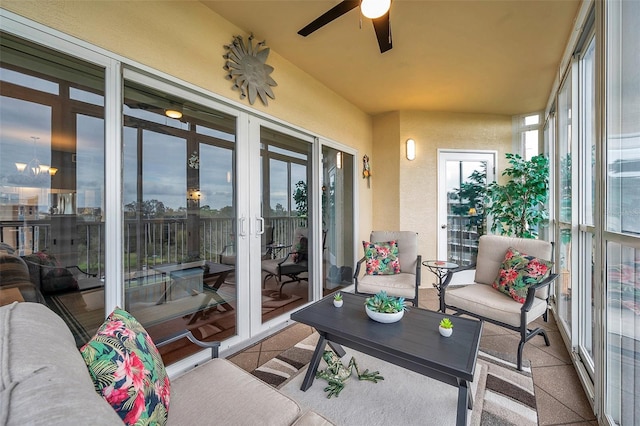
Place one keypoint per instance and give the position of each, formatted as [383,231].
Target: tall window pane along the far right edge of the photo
[622,227]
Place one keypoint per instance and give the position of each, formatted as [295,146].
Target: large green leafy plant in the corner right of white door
[518,207]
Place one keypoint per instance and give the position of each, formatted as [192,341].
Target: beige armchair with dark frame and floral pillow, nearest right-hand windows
[510,288]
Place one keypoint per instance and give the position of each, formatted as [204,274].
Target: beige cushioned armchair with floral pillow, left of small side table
[392,264]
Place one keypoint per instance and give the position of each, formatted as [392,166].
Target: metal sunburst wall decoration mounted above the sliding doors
[246,65]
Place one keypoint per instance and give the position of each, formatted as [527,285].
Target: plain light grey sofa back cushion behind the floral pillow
[43,380]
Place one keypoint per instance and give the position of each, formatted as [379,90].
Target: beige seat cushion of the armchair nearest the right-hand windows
[484,300]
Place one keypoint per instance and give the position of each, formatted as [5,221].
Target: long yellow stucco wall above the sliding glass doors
[185,39]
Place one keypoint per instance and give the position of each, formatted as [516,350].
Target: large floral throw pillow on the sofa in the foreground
[127,370]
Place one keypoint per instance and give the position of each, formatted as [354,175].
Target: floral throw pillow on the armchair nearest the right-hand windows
[520,271]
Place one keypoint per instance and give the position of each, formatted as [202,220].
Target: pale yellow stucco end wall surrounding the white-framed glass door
[416,181]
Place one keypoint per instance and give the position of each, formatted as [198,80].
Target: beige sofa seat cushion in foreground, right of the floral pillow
[240,398]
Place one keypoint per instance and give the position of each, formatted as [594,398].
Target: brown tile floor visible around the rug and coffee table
[560,397]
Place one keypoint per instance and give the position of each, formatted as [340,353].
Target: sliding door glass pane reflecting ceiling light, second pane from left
[179,224]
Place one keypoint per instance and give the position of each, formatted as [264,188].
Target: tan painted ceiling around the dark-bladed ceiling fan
[479,56]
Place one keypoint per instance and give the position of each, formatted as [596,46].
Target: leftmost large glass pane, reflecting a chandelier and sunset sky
[52,141]
